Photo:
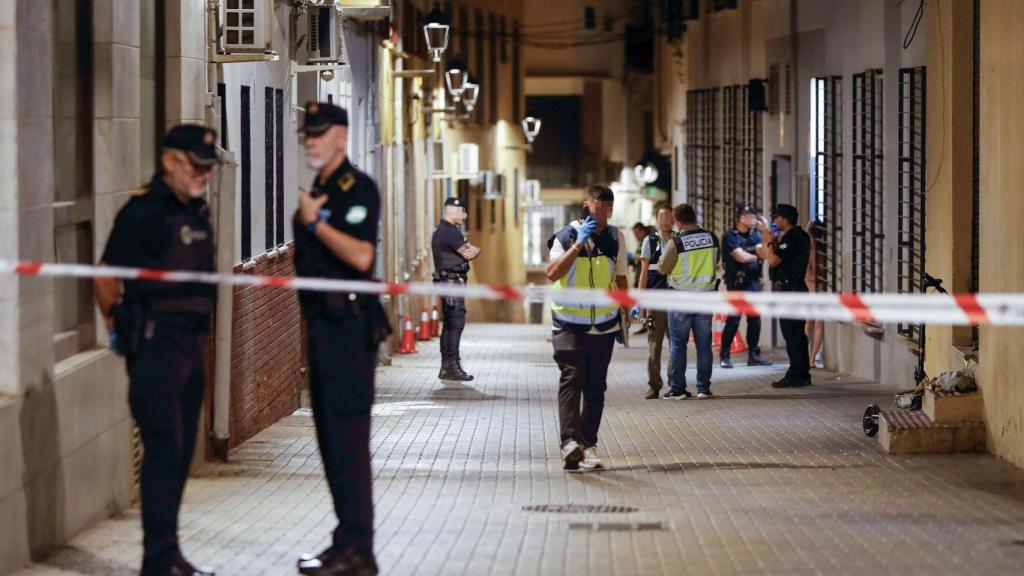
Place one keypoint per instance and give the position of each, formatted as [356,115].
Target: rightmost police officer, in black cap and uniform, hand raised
[788,256]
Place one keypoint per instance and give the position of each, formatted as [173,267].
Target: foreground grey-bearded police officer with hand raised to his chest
[336,237]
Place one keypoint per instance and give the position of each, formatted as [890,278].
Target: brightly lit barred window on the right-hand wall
[826,175]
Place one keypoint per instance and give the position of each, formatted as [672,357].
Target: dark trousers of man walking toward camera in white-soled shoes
[584,361]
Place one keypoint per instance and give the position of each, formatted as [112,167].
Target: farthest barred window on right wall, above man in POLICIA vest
[703,148]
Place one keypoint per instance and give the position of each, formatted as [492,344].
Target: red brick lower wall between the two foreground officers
[268,351]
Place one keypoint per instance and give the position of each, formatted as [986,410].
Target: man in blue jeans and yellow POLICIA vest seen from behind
[691,261]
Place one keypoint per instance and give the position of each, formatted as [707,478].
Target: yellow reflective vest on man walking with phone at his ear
[590,271]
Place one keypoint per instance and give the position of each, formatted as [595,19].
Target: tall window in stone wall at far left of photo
[73,200]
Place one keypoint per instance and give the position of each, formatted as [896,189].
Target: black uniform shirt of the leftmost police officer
[156,230]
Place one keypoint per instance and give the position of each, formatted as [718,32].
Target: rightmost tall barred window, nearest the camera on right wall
[911,214]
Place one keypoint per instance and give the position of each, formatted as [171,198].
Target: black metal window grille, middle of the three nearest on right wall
[868,188]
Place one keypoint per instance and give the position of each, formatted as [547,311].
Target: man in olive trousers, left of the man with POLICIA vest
[652,278]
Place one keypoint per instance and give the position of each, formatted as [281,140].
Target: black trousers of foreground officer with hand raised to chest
[342,387]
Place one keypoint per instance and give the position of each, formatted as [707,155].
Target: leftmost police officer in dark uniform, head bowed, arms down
[160,330]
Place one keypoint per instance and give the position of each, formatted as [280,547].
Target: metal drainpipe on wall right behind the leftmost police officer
[224,203]
